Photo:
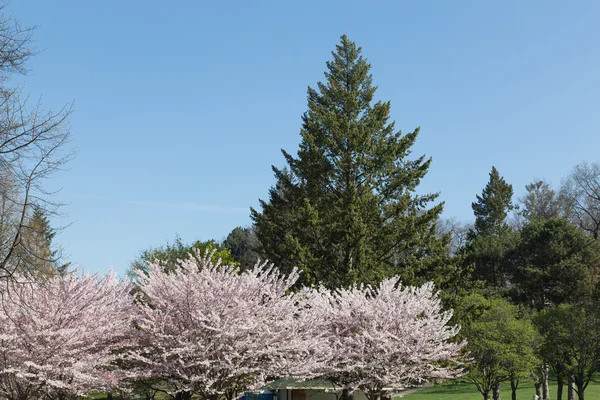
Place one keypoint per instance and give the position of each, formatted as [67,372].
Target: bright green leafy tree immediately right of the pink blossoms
[500,342]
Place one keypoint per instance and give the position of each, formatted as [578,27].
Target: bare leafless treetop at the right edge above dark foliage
[580,192]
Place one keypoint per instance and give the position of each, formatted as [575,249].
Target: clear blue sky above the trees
[182,106]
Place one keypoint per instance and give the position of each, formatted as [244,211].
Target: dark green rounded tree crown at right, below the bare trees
[554,263]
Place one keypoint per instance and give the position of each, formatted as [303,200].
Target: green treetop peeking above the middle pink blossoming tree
[170,254]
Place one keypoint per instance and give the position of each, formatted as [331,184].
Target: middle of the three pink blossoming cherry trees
[211,330]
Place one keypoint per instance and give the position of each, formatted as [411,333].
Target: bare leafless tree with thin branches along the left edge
[33,145]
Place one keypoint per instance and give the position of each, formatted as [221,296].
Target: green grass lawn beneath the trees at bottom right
[467,391]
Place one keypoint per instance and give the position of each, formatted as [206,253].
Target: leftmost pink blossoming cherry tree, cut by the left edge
[59,338]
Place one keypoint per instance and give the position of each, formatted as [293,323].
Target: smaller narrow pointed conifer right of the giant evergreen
[491,239]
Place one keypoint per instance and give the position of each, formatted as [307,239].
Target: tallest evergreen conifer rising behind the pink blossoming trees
[345,210]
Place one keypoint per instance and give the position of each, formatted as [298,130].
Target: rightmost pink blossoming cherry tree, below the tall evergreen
[385,337]
